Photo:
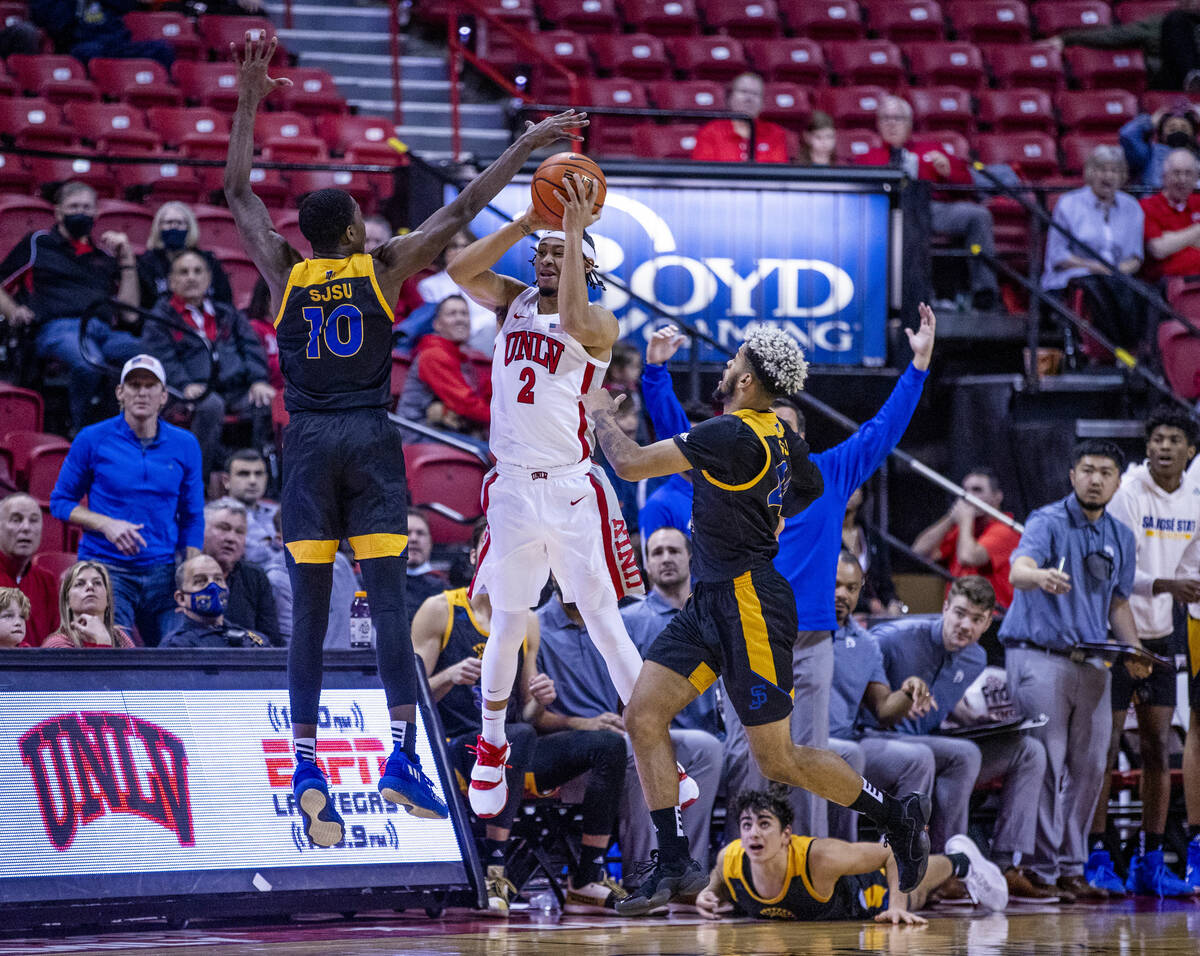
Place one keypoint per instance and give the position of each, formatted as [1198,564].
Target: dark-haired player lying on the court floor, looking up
[776,875]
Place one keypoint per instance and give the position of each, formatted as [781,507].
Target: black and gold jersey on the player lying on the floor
[855,898]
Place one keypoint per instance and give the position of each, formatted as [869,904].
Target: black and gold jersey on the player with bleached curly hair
[749,472]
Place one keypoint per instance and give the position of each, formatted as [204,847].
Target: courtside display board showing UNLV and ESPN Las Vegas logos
[160,781]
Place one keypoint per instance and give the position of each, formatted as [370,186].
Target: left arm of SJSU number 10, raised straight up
[272,252]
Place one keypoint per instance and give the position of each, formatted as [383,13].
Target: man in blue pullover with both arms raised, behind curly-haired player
[808,549]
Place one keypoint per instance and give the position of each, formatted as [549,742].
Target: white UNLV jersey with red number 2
[538,375]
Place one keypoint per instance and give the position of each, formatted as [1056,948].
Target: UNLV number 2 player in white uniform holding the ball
[549,507]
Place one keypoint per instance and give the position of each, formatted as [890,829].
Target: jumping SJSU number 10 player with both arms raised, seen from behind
[344,467]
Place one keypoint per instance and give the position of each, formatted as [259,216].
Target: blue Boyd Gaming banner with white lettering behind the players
[727,256]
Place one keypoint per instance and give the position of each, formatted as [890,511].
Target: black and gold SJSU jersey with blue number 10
[334,330]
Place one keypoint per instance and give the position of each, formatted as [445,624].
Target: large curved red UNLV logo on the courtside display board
[87,765]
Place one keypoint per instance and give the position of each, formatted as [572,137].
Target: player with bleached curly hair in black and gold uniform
[751,473]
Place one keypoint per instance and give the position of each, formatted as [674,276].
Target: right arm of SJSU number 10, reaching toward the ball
[404,256]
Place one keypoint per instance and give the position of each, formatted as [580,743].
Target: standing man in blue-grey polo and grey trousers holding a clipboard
[1073,574]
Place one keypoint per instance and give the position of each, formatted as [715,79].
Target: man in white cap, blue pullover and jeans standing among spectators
[146,500]
